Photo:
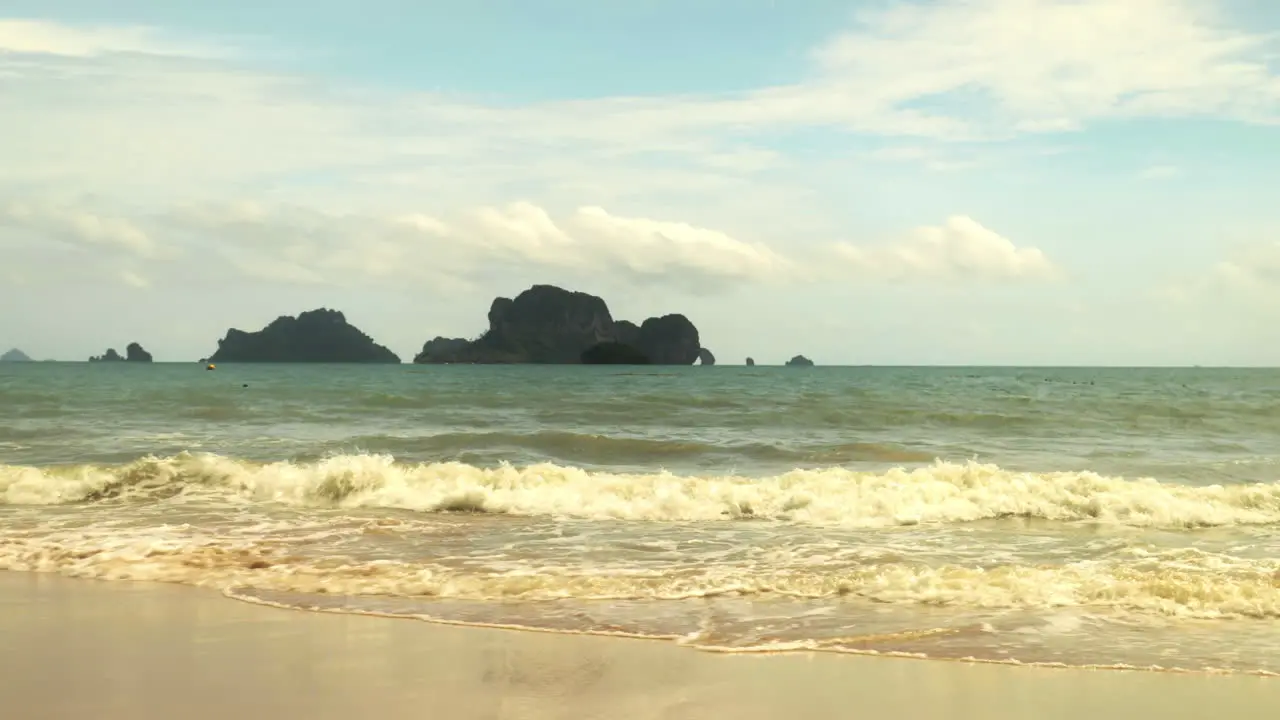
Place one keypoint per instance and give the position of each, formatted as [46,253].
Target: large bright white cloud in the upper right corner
[1046,66]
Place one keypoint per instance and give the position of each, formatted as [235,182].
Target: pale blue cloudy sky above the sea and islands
[904,183]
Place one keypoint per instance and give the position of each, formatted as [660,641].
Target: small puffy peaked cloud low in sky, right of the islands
[962,249]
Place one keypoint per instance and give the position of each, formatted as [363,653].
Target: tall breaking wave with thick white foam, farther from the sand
[944,493]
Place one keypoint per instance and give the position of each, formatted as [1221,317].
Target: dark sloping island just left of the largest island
[316,336]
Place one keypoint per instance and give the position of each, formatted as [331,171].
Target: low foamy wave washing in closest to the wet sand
[1183,584]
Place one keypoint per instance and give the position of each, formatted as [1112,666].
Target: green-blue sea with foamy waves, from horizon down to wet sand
[1103,518]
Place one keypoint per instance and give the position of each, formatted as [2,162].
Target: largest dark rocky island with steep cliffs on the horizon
[547,325]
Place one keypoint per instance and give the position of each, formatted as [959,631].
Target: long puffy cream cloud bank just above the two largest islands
[307,247]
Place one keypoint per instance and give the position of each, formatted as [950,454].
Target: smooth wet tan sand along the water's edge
[113,651]
